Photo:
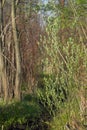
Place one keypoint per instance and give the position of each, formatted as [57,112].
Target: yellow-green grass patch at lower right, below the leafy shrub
[68,112]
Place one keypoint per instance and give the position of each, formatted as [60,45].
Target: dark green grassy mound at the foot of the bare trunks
[19,113]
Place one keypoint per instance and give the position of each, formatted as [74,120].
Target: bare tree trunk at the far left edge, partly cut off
[3,76]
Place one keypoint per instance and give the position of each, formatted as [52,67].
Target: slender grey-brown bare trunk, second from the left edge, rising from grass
[17,91]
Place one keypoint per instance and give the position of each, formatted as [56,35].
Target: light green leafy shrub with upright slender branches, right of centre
[65,66]
